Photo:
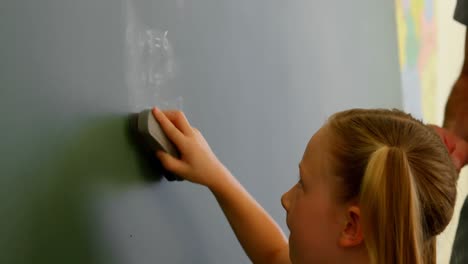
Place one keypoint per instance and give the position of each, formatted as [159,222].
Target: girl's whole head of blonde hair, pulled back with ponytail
[401,174]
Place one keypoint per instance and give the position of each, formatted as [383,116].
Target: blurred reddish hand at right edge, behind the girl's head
[456,146]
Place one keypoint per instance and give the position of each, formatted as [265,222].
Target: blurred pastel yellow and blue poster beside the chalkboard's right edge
[416,27]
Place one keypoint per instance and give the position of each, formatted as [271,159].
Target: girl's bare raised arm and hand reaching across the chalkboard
[260,237]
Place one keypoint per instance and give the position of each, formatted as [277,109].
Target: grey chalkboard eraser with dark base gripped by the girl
[154,138]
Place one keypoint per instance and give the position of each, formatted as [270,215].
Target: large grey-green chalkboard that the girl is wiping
[258,78]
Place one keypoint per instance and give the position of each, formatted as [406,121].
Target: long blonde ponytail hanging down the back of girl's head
[391,208]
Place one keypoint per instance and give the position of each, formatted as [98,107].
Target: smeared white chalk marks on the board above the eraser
[149,64]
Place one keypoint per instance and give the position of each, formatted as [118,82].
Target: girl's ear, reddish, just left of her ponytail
[352,234]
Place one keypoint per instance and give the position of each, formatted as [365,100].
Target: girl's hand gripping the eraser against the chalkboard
[197,163]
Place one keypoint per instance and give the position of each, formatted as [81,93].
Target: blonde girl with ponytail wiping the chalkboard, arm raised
[376,186]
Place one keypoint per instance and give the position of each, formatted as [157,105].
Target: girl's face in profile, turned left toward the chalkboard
[313,216]
